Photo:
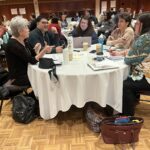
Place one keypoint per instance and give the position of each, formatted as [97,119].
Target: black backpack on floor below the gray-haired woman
[24,109]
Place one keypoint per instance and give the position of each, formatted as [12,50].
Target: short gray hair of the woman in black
[17,24]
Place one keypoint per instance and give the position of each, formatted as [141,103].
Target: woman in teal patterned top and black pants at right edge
[139,52]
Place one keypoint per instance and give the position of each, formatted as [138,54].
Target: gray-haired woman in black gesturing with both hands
[19,53]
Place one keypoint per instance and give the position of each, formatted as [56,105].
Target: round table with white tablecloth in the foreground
[77,85]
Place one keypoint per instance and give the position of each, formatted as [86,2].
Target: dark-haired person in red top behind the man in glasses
[54,26]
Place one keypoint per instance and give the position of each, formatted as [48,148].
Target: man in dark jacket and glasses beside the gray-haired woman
[43,36]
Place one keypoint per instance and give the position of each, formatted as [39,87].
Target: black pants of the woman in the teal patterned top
[130,90]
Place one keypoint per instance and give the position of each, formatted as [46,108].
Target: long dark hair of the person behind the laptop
[89,29]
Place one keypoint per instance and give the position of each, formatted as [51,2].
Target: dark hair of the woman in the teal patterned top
[144,18]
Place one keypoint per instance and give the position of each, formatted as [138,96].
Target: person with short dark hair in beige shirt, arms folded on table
[123,36]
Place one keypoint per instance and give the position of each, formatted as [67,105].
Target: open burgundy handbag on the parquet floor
[121,133]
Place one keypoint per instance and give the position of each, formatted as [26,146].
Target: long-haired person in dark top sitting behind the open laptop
[85,28]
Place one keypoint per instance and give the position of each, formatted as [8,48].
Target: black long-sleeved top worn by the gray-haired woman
[18,57]
